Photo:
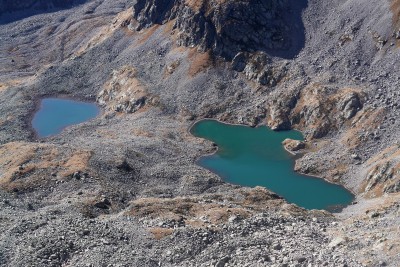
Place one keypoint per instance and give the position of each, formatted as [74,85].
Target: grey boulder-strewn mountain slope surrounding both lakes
[124,189]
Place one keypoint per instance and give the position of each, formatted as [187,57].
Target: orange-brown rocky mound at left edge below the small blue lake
[25,165]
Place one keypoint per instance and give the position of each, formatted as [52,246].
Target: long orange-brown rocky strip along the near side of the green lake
[211,209]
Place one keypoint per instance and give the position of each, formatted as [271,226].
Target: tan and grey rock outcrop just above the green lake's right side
[316,110]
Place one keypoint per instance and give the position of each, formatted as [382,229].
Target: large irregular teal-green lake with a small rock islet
[255,157]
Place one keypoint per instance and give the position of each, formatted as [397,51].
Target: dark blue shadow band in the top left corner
[13,10]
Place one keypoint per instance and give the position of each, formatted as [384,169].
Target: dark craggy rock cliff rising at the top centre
[225,27]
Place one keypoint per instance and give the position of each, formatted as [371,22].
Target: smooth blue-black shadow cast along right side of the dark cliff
[296,34]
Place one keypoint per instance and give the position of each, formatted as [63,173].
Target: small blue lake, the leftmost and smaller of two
[55,114]
